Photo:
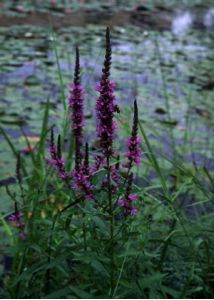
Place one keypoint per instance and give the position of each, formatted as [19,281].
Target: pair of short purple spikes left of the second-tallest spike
[56,159]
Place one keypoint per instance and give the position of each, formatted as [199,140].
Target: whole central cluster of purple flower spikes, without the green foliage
[80,179]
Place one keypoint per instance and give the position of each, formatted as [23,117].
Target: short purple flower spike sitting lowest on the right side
[126,203]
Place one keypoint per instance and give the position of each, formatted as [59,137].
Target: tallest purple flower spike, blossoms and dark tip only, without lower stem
[105,105]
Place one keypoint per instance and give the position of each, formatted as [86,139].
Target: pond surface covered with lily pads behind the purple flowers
[171,73]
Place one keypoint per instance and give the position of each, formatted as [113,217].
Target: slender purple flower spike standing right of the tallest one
[133,142]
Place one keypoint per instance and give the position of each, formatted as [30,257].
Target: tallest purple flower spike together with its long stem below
[105,109]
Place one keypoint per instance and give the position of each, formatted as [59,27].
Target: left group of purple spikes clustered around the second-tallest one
[80,174]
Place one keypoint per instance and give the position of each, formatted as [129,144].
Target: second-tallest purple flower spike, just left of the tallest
[76,101]
